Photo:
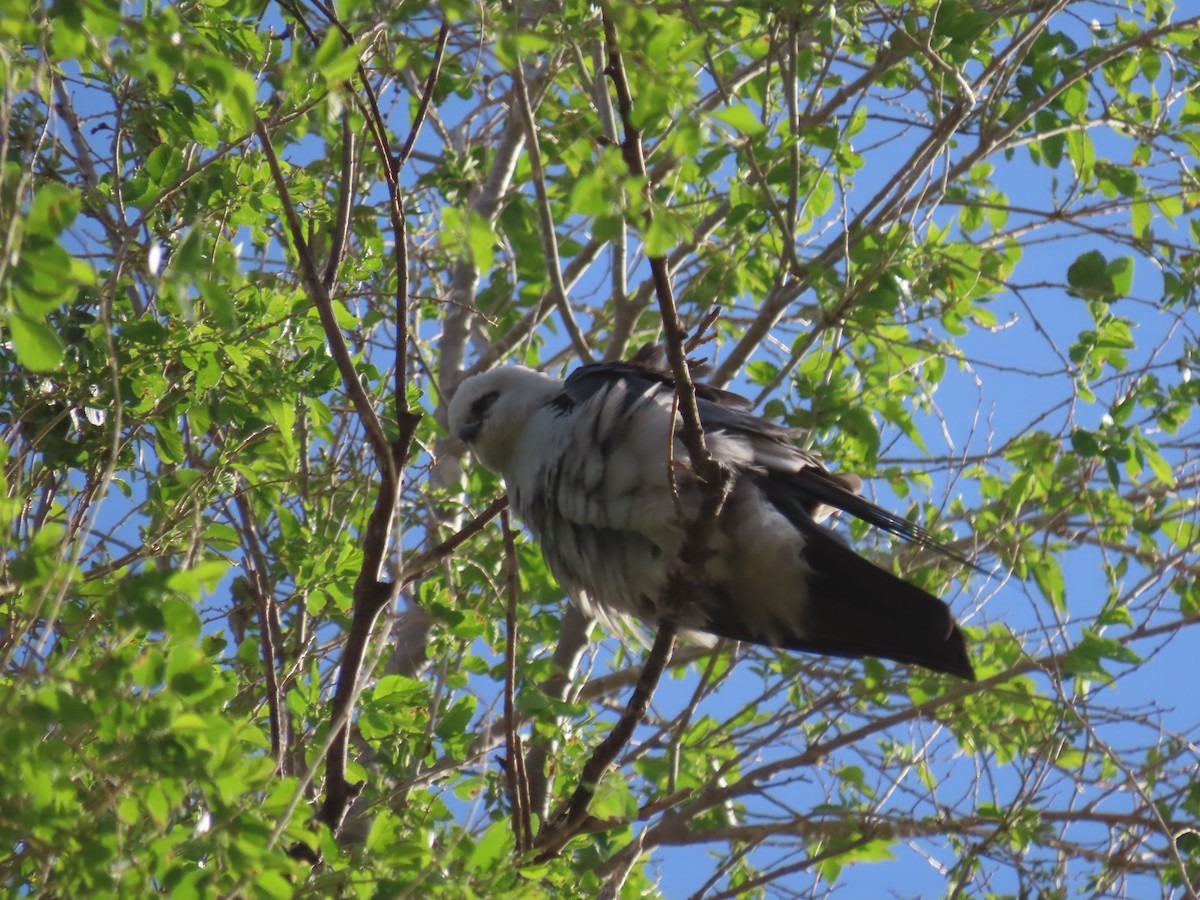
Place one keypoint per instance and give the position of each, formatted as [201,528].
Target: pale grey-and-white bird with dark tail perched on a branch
[597,471]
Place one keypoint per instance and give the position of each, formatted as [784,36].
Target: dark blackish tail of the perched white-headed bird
[856,609]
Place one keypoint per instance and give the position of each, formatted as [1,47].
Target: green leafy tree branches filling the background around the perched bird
[956,244]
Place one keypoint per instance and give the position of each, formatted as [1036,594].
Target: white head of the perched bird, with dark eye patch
[490,412]
